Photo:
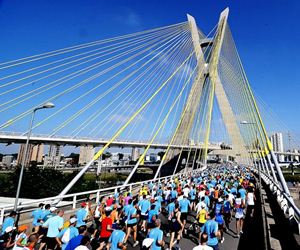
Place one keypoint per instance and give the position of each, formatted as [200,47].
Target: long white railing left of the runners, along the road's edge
[75,198]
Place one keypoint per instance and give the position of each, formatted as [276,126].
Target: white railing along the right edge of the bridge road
[284,200]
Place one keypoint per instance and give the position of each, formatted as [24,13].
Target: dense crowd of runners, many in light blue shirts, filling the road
[156,216]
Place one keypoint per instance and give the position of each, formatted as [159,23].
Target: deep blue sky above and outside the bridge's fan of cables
[267,35]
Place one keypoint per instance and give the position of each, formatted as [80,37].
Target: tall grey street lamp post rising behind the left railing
[25,156]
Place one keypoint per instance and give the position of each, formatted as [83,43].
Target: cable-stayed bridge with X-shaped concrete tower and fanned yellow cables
[160,88]
